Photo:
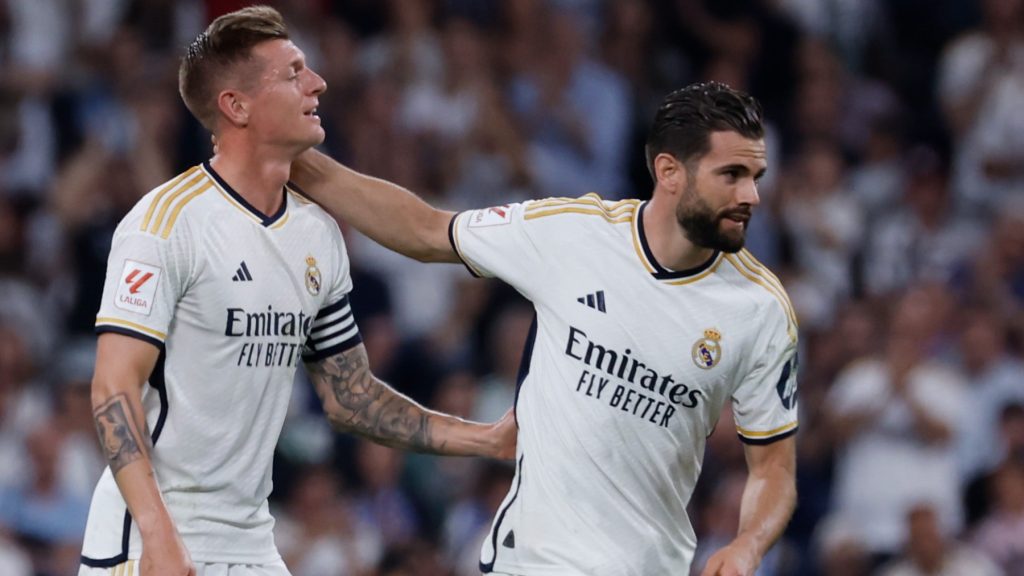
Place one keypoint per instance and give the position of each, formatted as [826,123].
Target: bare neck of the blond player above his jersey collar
[257,174]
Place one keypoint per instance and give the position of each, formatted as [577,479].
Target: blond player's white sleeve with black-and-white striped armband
[334,331]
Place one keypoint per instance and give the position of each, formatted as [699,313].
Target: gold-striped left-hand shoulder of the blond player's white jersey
[163,210]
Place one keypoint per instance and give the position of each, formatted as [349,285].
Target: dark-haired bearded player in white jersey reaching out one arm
[651,316]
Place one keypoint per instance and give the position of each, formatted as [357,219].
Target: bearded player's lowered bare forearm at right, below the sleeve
[770,500]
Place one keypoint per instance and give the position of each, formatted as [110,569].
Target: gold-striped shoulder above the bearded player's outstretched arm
[589,210]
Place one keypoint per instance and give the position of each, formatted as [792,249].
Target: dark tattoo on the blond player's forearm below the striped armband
[356,401]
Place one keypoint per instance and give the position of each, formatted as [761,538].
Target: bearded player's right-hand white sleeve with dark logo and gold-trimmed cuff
[764,402]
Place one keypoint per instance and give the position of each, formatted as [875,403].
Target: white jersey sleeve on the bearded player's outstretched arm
[498,242]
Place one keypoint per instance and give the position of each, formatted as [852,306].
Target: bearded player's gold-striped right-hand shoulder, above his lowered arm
[761,289]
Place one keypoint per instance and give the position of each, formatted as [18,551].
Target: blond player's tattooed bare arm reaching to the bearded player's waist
[358,402]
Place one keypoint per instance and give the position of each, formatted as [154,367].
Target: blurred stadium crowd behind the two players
[893,212]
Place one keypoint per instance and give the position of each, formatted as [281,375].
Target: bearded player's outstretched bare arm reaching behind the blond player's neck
[388,214]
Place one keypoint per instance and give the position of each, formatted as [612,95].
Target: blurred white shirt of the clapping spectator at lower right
[887,469]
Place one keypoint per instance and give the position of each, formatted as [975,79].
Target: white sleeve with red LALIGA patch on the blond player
[147,275]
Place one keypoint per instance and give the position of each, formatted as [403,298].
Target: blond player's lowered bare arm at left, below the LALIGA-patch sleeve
[123,365]
